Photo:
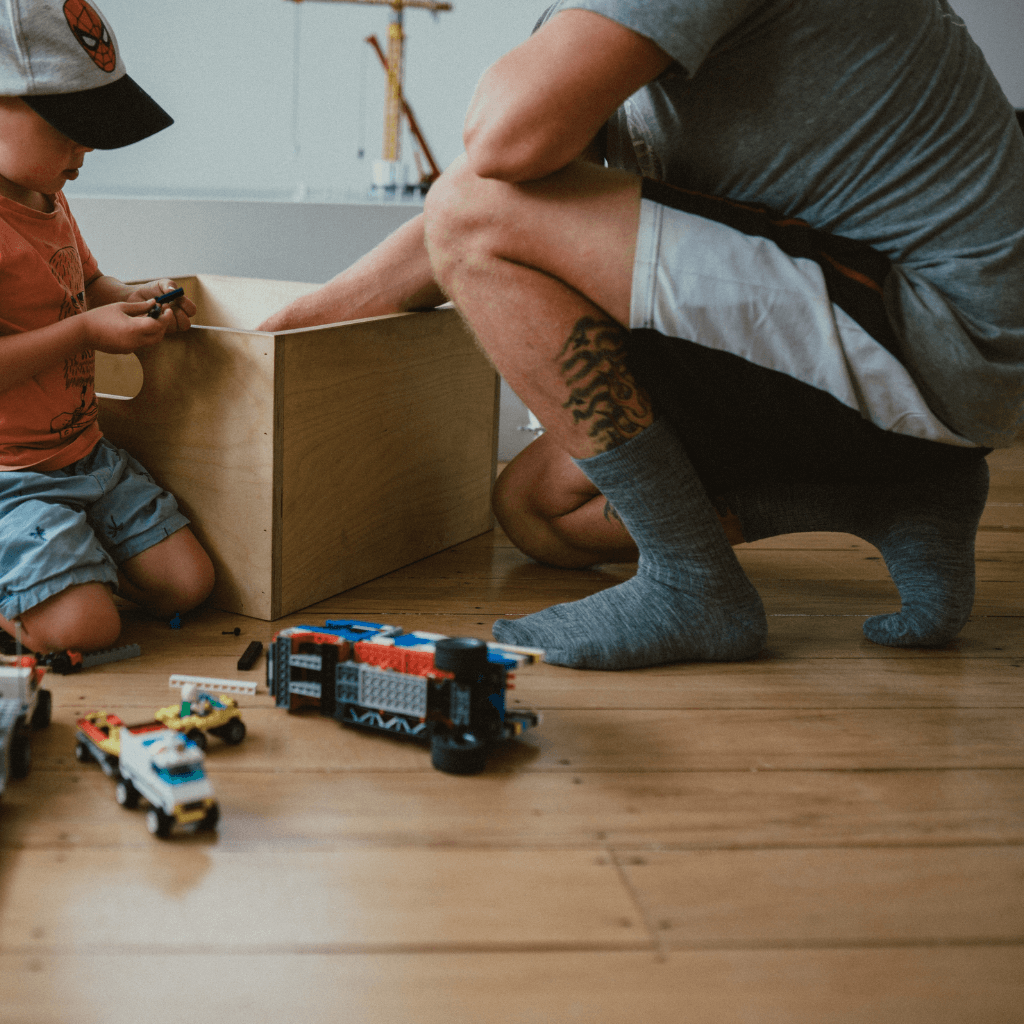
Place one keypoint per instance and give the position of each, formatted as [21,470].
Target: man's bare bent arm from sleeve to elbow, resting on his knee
[539,107]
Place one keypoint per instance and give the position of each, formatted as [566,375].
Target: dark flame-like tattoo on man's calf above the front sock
[603,392]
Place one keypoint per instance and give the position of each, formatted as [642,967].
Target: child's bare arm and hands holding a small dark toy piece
[111,325]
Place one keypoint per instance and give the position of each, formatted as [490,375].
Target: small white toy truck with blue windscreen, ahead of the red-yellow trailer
[166,770]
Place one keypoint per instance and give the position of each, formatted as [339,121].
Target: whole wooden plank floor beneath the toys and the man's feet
[831,834]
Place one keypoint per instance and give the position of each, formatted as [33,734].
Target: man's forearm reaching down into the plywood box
[394,278]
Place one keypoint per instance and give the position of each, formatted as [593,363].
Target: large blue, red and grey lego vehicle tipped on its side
[447,692]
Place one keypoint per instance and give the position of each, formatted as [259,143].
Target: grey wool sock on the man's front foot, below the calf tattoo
[690,601]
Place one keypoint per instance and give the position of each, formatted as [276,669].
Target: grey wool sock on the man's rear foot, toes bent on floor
[924,528]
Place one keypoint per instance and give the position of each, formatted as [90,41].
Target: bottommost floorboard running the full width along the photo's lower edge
[919,986]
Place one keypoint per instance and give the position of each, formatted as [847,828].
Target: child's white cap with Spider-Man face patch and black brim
[61,57]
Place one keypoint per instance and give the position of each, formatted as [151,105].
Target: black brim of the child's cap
[107,118]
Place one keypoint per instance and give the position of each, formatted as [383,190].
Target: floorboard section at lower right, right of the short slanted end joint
[837,898]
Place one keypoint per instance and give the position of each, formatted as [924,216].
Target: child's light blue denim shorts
[77,525]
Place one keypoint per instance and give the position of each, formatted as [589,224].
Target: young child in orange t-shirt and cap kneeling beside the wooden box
[79,519]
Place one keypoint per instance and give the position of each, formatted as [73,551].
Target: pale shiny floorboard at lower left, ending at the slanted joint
[196,898]
